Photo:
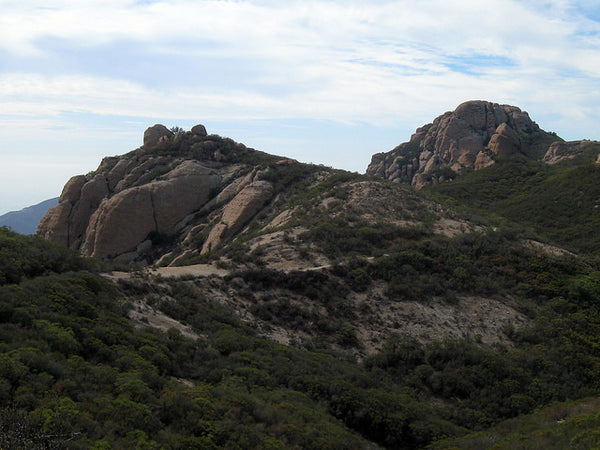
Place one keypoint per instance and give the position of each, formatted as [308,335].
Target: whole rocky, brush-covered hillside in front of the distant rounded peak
[323,308]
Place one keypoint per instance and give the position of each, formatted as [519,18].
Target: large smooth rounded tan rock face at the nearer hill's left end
[106,223]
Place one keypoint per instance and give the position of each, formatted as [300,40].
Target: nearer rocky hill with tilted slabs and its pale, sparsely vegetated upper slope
[187,197]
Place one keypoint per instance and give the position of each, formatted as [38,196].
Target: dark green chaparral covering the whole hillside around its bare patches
[76,373]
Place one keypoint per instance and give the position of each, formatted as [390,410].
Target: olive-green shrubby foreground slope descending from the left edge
[87,377]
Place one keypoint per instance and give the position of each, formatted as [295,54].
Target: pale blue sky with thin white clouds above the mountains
[329,82]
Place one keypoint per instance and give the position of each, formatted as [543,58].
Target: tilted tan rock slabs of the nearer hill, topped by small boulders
[132,202]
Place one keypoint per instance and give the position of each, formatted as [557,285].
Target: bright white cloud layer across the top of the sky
[293,47]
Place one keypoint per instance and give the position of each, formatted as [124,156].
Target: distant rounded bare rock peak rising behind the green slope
[471,137]
